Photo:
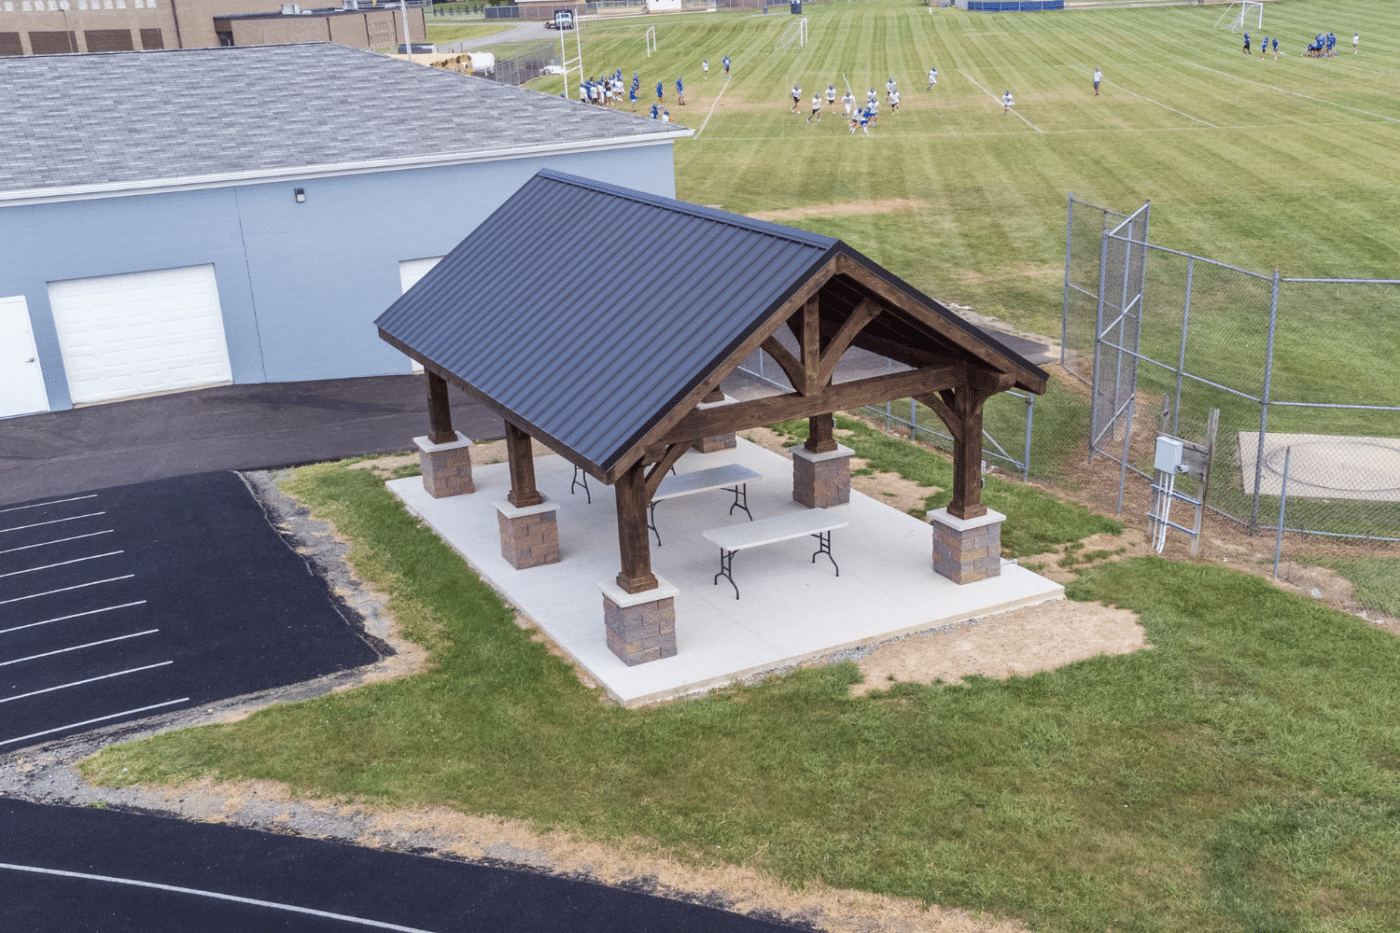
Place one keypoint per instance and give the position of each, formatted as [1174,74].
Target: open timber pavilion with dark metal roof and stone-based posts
[601,322]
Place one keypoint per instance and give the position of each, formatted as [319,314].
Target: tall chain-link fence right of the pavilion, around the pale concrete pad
[1301,371]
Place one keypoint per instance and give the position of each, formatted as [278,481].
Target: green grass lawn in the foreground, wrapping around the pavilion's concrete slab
[1241,775]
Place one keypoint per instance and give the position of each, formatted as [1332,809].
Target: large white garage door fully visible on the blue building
[141,333]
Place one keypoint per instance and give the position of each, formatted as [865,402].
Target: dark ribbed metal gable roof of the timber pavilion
[587,313]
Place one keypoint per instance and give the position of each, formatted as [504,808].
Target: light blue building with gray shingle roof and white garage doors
[191,218]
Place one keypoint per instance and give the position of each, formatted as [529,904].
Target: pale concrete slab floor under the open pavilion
[792,609]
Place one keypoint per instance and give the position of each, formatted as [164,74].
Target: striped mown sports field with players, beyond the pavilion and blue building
[1261,163]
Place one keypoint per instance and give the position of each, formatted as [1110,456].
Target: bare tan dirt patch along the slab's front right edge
[1021,642]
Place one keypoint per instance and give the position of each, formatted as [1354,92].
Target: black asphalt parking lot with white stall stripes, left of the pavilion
[134,600]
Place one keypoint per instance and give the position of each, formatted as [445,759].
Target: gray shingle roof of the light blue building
[143,117]
